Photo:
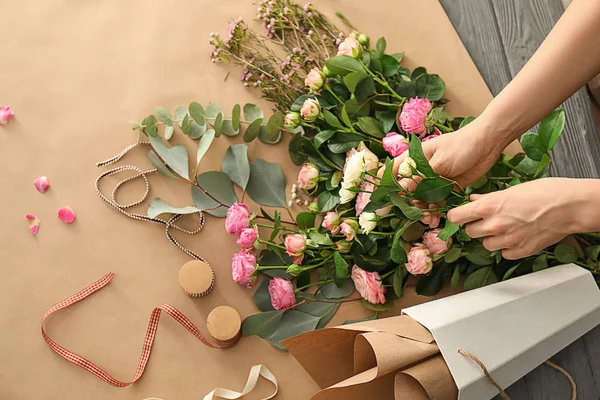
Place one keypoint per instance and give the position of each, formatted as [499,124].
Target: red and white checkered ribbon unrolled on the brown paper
[148,340]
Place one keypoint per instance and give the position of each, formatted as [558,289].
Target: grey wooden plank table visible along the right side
[501,35]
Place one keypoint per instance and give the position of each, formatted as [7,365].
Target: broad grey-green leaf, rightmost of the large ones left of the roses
[267,183]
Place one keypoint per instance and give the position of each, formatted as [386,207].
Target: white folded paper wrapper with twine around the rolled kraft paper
[511,326]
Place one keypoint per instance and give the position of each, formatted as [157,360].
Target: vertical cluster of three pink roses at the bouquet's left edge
[243,264]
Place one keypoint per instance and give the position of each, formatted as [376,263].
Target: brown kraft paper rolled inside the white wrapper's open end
[393,358]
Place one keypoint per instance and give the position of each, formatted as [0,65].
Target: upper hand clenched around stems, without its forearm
[464,155]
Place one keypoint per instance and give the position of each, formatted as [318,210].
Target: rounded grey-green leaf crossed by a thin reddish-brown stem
[220,187]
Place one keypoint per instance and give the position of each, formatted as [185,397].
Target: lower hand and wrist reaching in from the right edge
[528,217]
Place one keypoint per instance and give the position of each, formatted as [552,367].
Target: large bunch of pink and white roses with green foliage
[369,223]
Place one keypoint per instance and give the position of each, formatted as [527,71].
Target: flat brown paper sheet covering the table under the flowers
[75,72]
